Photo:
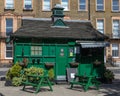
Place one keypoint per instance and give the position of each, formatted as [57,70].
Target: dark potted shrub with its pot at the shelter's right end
[109,76]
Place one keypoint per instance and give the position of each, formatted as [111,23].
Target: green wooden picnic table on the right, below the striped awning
[85,82]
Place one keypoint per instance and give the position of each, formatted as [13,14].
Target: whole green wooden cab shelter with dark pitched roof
[59,44]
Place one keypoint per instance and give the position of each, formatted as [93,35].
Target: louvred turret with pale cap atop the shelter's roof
[57,12]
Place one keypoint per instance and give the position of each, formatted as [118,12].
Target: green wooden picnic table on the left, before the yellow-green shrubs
[37,82]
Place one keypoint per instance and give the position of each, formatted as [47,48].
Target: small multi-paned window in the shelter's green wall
[36,50]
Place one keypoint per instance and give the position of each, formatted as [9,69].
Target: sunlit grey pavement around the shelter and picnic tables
[64,89]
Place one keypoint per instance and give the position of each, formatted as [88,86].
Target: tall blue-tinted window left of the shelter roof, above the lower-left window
[9,26]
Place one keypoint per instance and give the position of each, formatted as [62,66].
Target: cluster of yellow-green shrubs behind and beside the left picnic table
[17,75]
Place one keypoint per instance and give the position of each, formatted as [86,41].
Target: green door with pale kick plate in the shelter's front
[61,62]
